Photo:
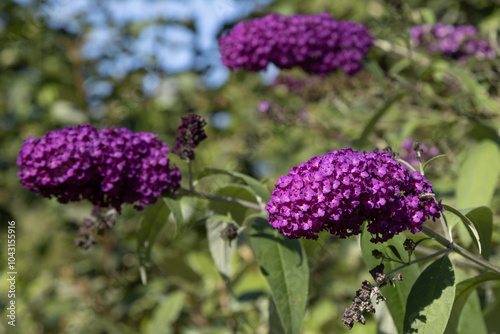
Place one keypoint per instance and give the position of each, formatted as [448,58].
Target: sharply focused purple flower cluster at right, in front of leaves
[337,192]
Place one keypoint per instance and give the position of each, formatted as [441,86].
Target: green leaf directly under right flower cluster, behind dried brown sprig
[396,296]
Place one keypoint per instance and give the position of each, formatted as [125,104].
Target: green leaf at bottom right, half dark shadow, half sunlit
[430,301]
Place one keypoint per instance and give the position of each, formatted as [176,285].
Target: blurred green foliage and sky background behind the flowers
[143,64]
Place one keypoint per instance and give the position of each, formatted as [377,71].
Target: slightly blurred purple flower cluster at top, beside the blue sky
[318,44]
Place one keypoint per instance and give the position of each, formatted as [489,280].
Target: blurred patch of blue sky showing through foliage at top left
[164,45]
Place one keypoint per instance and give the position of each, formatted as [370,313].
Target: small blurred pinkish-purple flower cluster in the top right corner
[455,42]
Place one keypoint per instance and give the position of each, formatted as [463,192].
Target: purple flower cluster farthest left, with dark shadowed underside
[108,167]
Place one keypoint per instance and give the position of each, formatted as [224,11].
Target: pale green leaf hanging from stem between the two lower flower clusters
[222,250]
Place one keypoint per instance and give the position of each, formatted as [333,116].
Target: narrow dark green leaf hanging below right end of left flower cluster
[154,218]
